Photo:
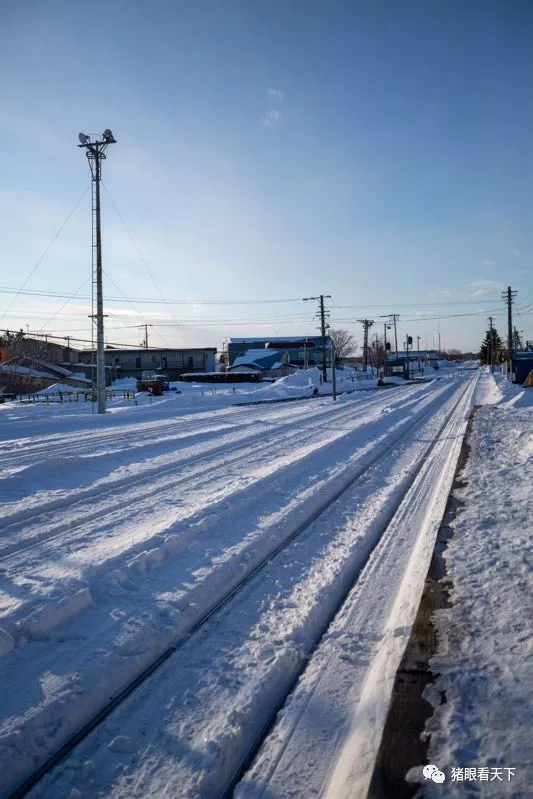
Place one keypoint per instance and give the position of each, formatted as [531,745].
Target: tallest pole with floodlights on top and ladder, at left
[95,152]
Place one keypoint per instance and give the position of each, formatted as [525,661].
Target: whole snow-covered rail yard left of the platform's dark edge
[120,532]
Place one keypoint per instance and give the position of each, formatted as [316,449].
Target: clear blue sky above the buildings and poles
[380,152]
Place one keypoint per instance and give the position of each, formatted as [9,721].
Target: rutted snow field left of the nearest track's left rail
[118,531]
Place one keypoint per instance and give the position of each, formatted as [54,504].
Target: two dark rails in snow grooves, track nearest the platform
[233,593]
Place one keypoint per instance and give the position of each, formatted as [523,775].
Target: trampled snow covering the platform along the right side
[485,654]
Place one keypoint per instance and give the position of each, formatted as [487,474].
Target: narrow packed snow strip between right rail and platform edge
[326,740]
